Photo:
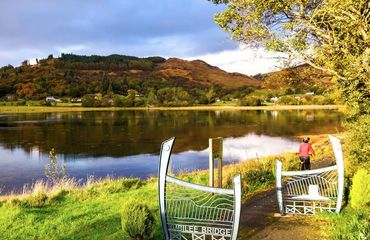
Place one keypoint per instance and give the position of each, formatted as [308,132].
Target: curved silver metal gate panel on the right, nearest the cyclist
[306,192]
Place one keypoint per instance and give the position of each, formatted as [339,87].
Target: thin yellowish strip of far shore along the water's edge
[43,109]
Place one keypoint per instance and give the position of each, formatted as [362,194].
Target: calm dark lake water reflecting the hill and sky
[126,143]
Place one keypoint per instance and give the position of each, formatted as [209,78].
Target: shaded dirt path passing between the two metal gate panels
[259,221]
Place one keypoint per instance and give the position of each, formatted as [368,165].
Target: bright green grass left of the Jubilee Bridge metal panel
[89,213]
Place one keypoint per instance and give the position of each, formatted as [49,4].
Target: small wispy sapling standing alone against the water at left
[53,171]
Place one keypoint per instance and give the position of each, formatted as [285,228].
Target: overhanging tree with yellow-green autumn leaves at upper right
[330,35]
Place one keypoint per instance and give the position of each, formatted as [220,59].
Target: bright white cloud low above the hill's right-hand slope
[243,60]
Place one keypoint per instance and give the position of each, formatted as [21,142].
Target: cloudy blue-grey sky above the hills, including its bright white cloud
[168,28]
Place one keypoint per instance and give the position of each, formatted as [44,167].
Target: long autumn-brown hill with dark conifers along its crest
[76,76]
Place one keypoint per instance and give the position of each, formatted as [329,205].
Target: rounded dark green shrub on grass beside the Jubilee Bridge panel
[137,221]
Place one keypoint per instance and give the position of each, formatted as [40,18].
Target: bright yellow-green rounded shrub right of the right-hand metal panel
[360,191]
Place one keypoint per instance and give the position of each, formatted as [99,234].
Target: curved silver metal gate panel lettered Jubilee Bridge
[192,211]
